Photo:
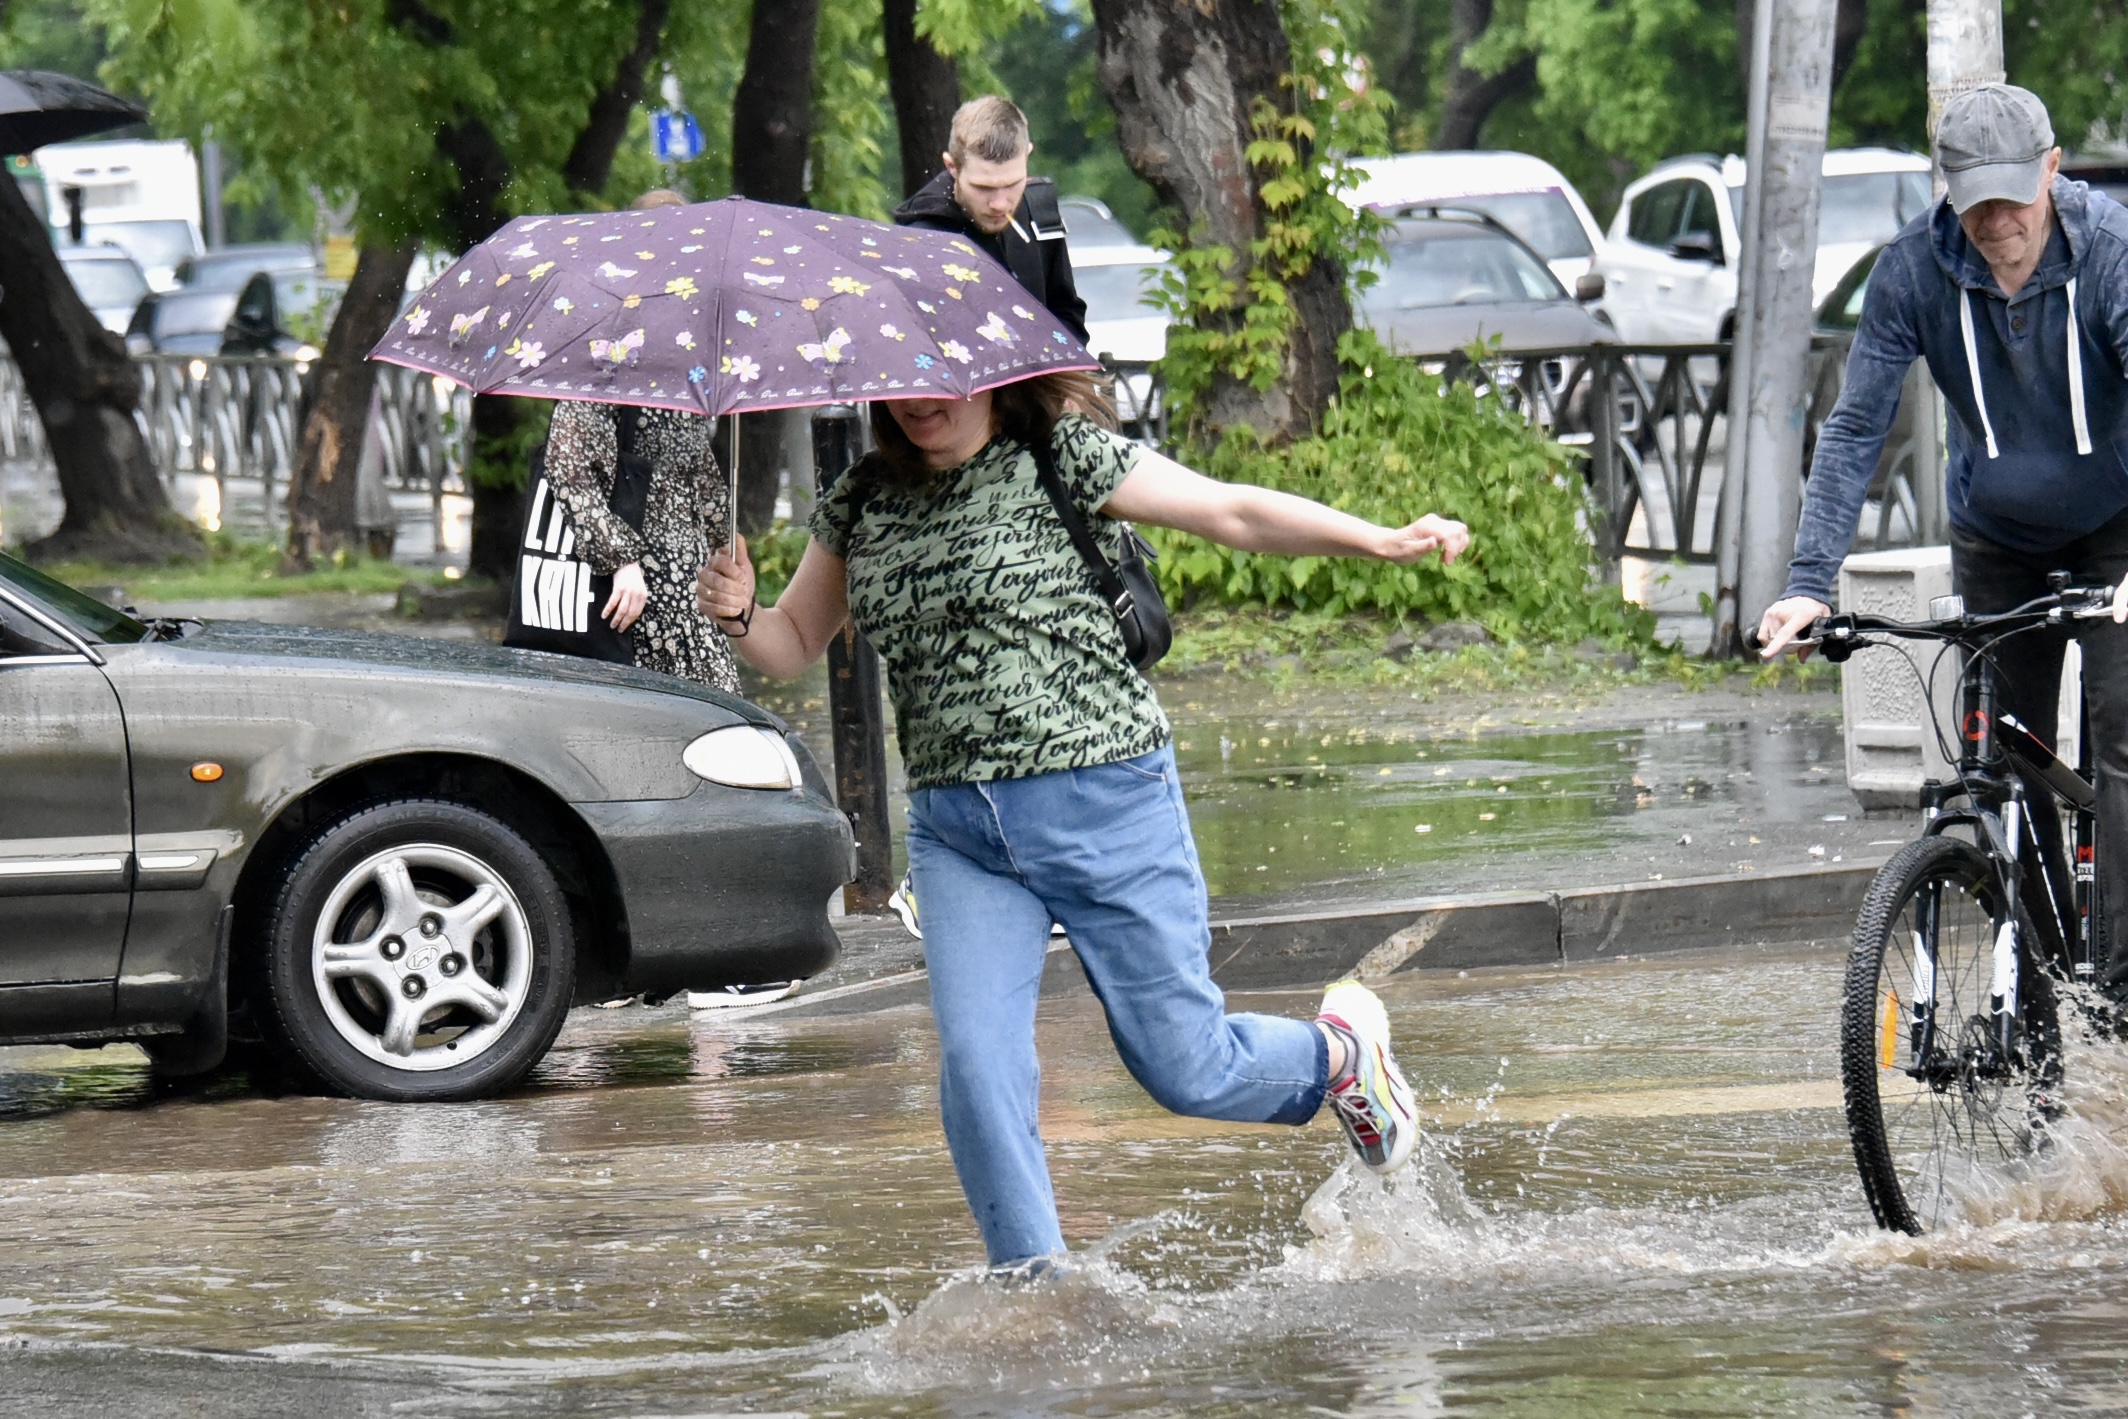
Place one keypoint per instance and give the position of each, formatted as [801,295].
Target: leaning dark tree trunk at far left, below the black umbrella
[86,393]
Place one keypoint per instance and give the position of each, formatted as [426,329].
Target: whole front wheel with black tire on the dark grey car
[418,952]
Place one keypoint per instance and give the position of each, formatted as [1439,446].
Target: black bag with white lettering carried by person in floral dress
[556,597]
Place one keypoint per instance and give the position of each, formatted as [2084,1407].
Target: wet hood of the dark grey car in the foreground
[427,656]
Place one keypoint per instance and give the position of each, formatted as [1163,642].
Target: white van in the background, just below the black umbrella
[135,195]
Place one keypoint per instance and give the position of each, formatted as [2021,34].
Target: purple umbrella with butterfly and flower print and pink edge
[729,307]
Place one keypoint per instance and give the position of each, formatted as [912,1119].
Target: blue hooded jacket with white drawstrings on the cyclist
[2038,388]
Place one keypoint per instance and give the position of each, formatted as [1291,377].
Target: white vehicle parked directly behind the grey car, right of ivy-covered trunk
[1525,195]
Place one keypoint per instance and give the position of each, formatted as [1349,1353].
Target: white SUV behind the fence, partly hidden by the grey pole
[1672,256]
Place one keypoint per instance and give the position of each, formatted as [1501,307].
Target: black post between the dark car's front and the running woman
[857,703]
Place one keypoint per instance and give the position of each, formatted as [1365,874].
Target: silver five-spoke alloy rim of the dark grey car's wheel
[422,958]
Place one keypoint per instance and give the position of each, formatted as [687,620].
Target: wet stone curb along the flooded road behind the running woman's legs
[1452,933]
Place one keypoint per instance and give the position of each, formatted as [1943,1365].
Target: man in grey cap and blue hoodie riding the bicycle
[2016,295]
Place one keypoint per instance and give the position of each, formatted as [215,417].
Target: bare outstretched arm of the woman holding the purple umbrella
[1165,495]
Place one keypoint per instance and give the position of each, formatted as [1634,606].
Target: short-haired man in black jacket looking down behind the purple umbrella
[988,197]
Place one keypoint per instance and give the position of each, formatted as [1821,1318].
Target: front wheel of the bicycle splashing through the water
[1938,1101]
